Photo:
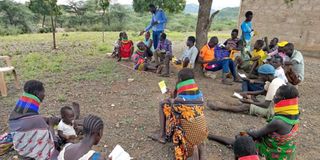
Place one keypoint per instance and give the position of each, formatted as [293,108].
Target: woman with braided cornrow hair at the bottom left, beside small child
[93,130]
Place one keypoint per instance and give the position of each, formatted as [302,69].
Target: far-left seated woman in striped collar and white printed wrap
[25,121]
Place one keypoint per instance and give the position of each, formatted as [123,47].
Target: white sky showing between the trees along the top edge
[217,4]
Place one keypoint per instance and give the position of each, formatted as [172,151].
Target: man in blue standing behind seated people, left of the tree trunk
[157,23]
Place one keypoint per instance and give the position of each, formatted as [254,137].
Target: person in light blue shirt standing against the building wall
[247,30]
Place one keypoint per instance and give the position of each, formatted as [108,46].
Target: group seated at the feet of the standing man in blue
[142,56]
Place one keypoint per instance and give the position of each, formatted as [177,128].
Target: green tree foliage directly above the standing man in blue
[173,6]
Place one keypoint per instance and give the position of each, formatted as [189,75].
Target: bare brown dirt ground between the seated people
[130,109]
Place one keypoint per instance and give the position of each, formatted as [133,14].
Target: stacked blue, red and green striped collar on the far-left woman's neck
[28,103]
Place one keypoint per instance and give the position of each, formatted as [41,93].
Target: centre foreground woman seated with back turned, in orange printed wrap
[182,120]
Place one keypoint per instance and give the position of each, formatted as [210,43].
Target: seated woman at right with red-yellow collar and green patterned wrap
[277,140]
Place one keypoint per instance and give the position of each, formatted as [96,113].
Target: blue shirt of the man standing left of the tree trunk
[159,17]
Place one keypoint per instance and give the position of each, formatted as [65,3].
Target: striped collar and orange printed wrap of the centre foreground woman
[185,121]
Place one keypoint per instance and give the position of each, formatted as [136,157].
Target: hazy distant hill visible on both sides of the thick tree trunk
[225,14]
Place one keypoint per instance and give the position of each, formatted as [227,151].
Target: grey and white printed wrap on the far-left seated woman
[32,138]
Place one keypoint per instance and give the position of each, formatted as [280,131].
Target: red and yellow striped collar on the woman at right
[287,107]
